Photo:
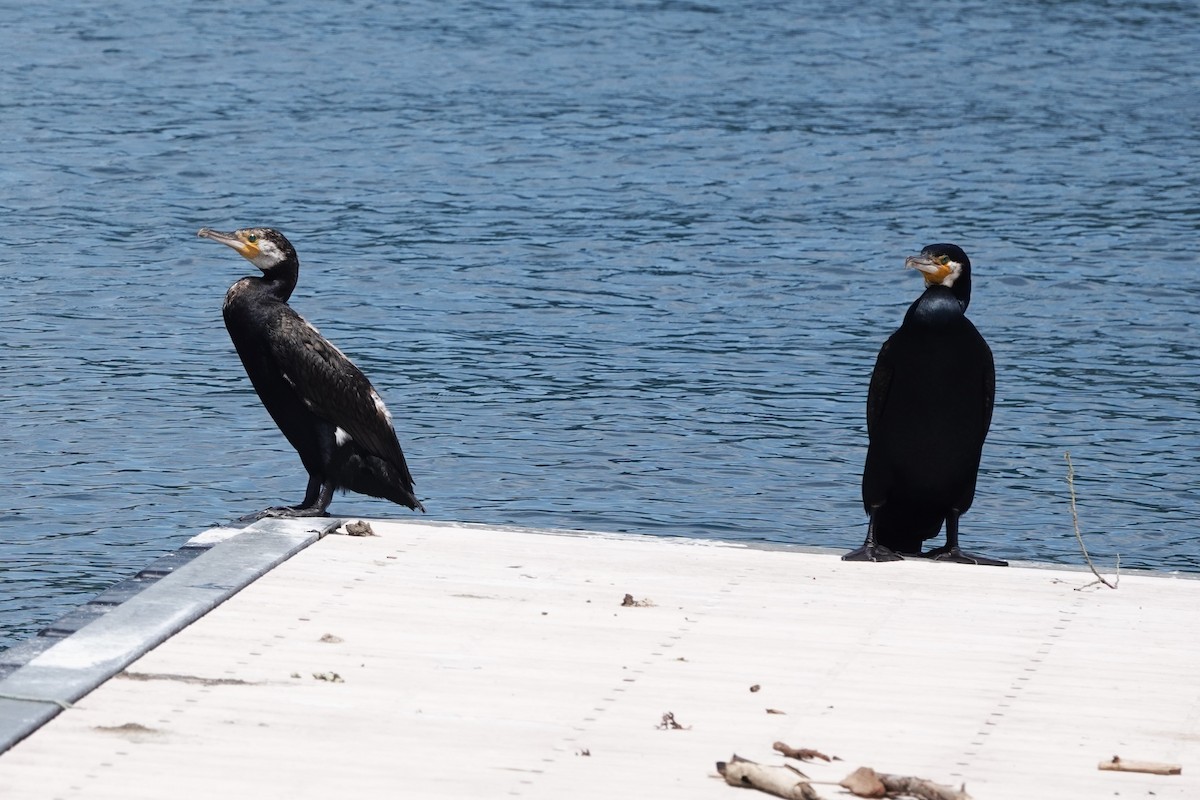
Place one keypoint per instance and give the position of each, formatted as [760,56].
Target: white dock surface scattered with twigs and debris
[487,664]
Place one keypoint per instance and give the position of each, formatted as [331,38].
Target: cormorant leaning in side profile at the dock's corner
[325,406]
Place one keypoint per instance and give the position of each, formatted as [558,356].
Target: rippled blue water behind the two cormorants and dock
[614,266]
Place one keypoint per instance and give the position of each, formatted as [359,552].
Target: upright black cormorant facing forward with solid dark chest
[928,412]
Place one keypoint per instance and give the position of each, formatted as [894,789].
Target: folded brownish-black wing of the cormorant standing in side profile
[334,389]
